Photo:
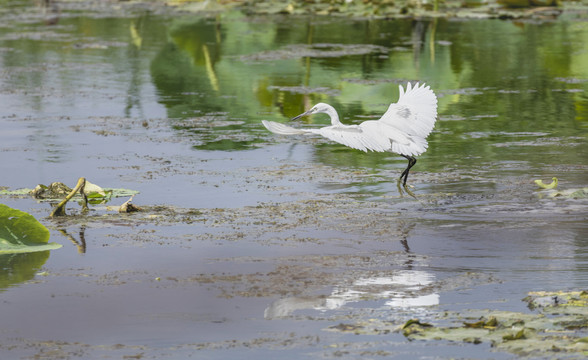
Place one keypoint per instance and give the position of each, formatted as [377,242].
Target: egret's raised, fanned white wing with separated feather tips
[415,112]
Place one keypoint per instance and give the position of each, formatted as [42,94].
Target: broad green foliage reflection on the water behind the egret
[503,86]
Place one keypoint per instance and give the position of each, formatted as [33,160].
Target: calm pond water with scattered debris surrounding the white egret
[261,245]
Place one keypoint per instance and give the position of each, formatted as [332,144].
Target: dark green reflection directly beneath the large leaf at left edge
[18,268]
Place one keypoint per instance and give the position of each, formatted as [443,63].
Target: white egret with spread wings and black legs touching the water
[403,129]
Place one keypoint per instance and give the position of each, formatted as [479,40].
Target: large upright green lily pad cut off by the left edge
[21,233]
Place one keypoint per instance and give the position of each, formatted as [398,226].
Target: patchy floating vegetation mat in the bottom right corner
[560,326]
